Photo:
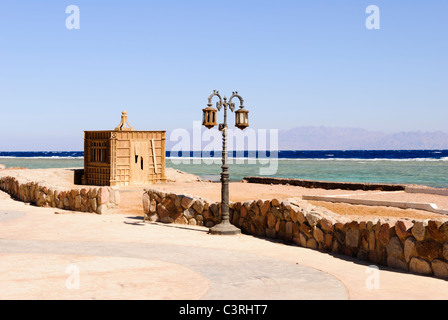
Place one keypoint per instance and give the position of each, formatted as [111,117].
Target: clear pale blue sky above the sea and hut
[295,62]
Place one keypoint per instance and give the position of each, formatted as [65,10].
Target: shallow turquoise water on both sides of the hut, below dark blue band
[423,172]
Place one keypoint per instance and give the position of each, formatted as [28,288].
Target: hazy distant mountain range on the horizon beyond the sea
[336,138]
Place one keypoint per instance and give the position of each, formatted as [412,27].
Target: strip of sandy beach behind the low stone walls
[185,183]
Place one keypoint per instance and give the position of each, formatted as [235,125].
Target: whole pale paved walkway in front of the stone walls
[85,256]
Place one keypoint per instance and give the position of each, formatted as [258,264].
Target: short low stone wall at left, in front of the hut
[98,200]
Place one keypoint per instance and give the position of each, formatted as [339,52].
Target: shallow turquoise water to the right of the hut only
[426,172]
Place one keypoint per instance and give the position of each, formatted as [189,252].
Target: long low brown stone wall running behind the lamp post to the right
[416,246]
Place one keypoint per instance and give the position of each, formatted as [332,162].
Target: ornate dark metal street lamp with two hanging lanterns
[241,121]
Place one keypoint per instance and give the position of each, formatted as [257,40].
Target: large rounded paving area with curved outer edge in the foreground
[228,275]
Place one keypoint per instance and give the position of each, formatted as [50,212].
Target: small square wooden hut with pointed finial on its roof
[124,157]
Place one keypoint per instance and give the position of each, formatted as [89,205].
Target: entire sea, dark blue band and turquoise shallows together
[421,167]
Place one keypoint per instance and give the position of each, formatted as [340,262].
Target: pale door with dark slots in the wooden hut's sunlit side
[141,162]
